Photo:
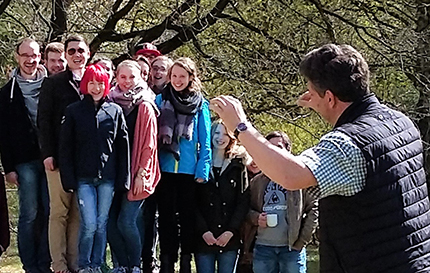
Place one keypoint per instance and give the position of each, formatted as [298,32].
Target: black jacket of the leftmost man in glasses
[18,136]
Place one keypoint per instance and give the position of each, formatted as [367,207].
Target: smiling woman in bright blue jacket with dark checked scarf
[185,158]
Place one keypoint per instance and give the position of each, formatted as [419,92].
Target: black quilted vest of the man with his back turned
[386,226]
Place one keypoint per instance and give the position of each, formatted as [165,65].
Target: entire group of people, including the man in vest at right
[95,153]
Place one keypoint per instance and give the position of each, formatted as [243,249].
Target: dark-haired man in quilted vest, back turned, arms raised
[368,171]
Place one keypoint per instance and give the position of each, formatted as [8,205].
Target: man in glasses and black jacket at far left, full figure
[20,155]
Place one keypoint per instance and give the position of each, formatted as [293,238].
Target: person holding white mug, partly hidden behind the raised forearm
[279,245]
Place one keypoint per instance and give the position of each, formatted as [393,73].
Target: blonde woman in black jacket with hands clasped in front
[222,204]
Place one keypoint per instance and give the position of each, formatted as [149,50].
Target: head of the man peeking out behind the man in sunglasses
[53,57]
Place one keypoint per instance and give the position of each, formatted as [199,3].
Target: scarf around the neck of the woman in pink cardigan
[132,98]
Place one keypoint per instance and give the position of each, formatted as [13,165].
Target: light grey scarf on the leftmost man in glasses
[31,90]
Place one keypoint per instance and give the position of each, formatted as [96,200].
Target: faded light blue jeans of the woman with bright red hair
[95,199]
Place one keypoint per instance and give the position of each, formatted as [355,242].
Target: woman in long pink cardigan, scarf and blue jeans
[137,101]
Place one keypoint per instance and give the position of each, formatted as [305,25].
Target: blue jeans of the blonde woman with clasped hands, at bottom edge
[205,262]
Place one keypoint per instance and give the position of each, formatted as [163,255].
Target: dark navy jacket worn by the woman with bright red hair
[94,144]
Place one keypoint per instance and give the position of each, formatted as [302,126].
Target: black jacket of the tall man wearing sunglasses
[57,92]
